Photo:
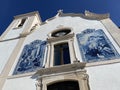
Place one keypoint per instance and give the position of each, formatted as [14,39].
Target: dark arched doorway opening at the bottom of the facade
[64,85]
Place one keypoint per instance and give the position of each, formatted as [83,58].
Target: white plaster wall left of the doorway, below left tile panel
[23,83]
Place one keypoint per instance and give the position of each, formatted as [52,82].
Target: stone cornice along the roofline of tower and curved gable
[87,15]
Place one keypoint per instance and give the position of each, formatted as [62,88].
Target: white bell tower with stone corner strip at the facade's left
[12,39]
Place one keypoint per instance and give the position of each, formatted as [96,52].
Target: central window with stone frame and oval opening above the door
[60,47]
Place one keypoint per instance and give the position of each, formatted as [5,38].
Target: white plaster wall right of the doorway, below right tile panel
[104,77]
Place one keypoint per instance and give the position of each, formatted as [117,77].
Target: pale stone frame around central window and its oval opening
[68,38]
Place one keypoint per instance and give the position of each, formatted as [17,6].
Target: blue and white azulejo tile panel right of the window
[95,46]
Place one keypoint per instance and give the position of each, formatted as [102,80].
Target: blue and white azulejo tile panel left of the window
[31,57]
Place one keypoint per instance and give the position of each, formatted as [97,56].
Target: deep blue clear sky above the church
[49,8]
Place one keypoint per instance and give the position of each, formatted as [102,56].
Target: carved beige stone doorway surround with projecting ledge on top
[67,72]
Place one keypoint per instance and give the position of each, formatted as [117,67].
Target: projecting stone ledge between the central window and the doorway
[61,68]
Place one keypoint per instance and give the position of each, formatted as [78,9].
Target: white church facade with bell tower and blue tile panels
[66,52]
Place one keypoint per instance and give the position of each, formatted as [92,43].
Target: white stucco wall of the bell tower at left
[9,42]
